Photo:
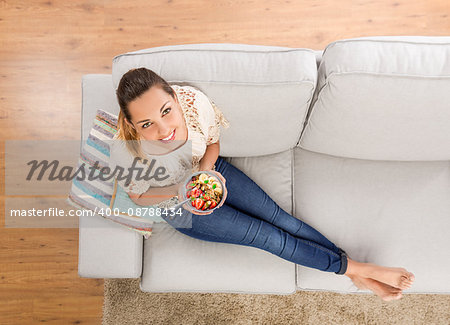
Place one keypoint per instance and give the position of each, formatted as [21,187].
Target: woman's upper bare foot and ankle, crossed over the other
[393,276]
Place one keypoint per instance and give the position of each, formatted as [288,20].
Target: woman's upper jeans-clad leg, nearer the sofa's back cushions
[245,195]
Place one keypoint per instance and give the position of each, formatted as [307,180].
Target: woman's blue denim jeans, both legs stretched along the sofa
[250,217]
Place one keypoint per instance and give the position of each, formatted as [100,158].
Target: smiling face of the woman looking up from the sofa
[157,116]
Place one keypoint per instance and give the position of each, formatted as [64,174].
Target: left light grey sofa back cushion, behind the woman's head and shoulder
[263,91]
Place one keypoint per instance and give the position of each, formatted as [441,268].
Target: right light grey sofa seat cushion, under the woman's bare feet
[389,213]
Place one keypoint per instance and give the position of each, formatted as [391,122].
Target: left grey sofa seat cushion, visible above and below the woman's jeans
[175,262]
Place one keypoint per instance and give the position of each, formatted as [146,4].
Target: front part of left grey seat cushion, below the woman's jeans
[174,262]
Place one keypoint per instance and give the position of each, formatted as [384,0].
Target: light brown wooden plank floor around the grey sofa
[47,45]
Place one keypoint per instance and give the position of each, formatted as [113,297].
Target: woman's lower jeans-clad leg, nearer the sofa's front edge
[229,225]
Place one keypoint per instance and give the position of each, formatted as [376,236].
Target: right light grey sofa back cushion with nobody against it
[382,98]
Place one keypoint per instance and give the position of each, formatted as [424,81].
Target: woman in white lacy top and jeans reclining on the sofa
[150,109]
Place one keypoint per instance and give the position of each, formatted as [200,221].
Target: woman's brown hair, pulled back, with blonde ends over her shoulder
[131,86]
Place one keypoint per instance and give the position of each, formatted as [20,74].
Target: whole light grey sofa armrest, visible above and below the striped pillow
[106,249]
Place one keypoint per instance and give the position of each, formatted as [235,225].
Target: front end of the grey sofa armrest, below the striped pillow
[108,250]
